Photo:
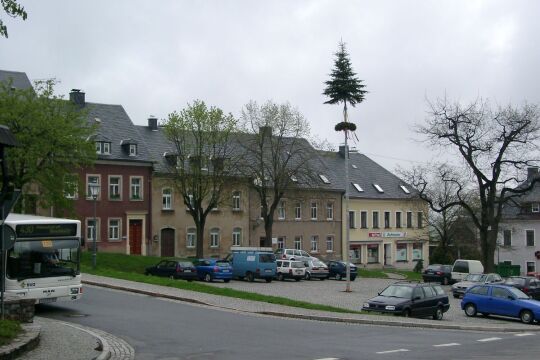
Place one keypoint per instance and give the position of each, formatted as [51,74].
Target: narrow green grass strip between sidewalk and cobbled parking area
[203,288]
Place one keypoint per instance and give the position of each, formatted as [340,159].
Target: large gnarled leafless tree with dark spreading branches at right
[494,146]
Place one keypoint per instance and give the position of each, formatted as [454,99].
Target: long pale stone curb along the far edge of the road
[321,317]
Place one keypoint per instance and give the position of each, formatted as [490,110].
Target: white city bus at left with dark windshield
[44,263]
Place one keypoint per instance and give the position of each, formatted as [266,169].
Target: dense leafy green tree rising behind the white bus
[53,136]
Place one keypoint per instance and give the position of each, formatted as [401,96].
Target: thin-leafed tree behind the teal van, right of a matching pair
[276,155]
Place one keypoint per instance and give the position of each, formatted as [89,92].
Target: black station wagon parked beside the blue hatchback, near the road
[411,299]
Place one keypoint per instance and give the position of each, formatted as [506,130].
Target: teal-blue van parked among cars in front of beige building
[253,263]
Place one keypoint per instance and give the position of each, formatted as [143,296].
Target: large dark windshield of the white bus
[43,258]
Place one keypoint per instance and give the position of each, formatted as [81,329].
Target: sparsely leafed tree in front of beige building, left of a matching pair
[203,161]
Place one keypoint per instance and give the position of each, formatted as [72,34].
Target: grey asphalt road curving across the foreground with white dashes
[163,329]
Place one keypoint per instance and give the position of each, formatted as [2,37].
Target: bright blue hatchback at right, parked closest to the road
[504,300]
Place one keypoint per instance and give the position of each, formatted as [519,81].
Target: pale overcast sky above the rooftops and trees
[153,57]
